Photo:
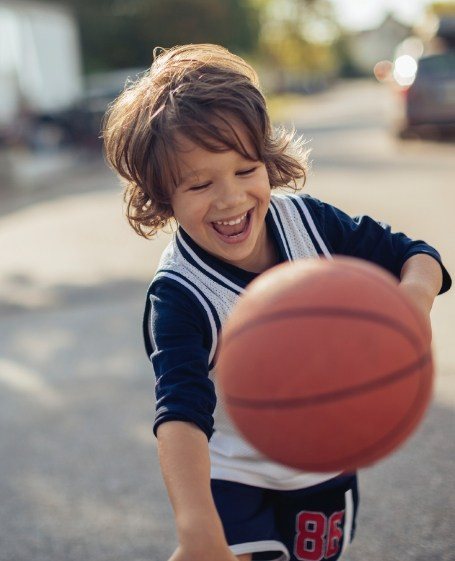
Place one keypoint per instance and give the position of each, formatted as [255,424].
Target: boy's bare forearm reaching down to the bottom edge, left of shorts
[185,464]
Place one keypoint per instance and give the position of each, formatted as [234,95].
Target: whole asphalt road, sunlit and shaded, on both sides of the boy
[79,474]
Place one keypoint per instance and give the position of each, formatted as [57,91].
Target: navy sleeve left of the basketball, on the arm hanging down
[176,337]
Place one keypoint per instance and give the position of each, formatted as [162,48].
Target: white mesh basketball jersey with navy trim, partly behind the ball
[232,457]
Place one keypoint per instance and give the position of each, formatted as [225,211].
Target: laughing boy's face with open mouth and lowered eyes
[220,188]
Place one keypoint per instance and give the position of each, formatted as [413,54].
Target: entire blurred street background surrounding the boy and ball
[371,85]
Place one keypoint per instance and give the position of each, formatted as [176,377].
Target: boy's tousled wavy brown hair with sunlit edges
[193,90]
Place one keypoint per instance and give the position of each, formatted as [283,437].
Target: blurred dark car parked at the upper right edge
[428,104]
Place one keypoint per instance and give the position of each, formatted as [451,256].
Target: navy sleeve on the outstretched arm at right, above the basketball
[366,238]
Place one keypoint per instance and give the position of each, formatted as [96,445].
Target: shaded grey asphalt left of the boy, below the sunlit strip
[79,472]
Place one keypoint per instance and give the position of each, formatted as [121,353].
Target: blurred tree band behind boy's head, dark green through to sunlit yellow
[290,35]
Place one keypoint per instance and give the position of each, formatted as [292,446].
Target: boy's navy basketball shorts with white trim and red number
[308,524]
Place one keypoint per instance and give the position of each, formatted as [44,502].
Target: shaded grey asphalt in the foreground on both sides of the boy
[80,476]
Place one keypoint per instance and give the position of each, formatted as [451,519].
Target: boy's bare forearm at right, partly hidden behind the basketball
[421,279]
